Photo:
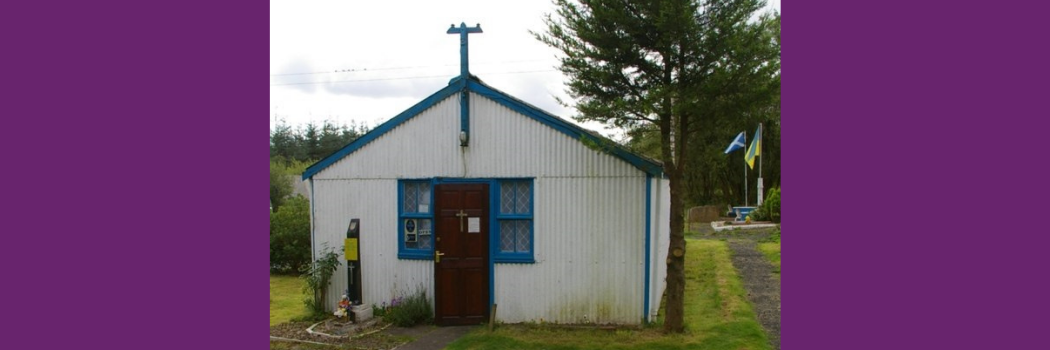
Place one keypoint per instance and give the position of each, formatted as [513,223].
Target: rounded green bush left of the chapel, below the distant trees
[290,237]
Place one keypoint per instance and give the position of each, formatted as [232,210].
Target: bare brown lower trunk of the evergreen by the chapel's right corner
[676,261]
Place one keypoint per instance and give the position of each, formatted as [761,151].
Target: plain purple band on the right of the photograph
[909,130]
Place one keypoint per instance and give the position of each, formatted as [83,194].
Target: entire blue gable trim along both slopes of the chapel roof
[474,85]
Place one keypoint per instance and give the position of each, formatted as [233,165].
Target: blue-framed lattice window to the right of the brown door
[515,222]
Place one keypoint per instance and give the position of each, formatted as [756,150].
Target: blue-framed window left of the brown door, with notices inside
[415,220]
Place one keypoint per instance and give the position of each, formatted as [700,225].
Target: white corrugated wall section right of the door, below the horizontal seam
[590,254]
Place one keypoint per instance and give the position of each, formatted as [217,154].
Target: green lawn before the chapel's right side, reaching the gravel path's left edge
[718,317]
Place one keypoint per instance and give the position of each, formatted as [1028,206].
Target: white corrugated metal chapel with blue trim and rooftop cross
[482,200]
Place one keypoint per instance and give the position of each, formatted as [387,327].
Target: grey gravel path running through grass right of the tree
[764,289]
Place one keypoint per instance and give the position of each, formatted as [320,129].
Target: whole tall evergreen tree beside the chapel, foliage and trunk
[665,66]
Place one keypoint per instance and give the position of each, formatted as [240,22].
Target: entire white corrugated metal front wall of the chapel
[590,213]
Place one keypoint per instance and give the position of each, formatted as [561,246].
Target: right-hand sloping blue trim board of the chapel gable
[566,128]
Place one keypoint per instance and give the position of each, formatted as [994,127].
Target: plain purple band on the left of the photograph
[136,135]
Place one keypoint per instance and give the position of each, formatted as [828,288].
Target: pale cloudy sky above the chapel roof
[364,63]
